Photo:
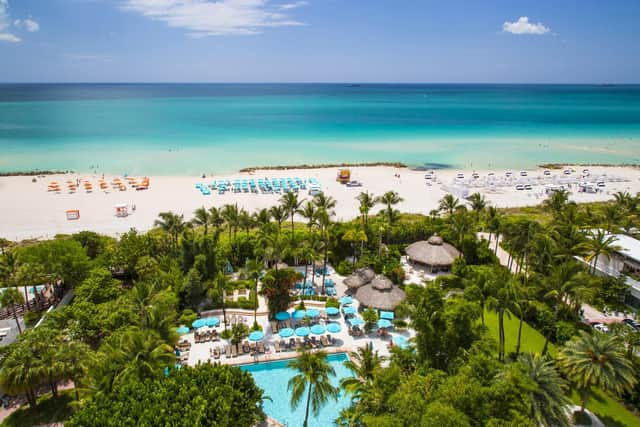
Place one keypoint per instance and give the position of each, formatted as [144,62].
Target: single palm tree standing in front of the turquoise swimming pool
[313,376]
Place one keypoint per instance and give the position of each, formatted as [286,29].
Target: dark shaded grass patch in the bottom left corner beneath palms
[48,410]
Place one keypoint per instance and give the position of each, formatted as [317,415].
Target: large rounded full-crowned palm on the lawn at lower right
[596,360]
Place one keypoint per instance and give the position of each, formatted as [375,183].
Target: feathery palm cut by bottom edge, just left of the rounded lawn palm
[548,399]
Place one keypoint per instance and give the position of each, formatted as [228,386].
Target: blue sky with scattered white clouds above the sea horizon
[439,41]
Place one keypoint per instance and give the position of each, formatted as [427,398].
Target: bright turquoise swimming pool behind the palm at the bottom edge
[273,377]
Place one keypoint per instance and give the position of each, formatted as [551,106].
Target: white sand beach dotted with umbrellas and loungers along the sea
[29,211]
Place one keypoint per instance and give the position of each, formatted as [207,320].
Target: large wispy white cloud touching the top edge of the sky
[214,18]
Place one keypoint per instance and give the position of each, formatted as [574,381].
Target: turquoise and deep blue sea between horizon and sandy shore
[190,129]
